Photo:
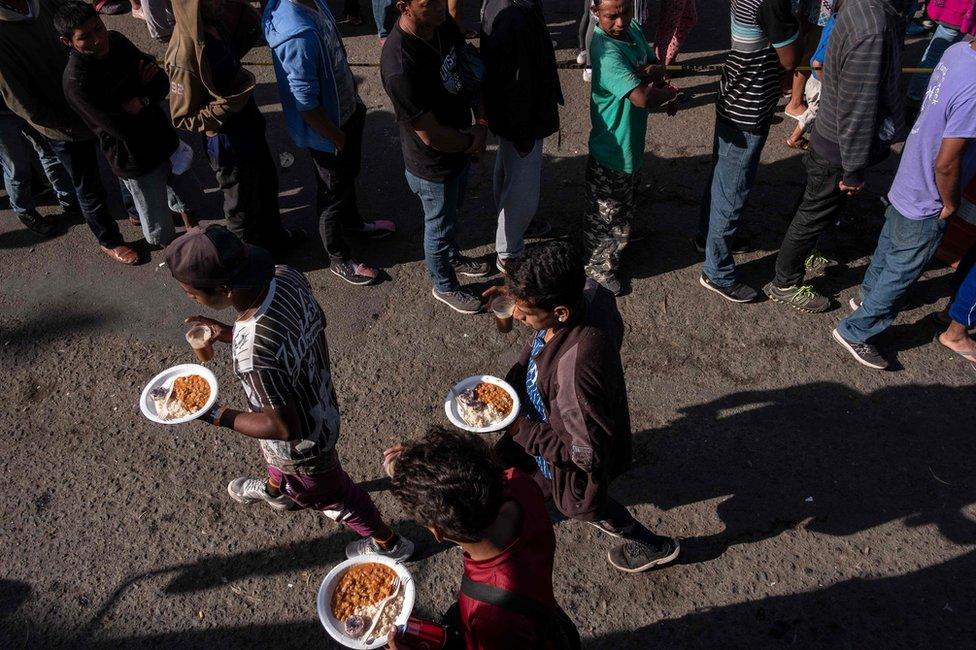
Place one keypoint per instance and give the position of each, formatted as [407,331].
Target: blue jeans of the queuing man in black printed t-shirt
[442,203]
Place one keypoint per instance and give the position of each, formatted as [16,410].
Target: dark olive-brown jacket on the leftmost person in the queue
[31,64]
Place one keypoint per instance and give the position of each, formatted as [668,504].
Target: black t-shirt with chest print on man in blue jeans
[422,77]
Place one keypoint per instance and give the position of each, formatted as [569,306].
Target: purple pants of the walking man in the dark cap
[335,494]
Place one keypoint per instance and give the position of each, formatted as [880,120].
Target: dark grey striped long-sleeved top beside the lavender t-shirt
[862,109]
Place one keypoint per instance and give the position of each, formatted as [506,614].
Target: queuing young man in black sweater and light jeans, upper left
[116,89]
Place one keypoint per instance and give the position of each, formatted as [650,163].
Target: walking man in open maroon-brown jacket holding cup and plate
[574,434]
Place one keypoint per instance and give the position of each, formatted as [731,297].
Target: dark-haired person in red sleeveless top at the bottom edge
[448,482]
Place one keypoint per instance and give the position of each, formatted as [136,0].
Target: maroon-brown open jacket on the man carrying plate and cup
[587,439]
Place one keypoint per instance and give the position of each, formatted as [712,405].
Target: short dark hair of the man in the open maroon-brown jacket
[547,275]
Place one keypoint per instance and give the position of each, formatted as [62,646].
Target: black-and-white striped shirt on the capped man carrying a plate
[281,357]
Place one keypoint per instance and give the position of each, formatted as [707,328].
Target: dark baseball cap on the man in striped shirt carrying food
[209,257]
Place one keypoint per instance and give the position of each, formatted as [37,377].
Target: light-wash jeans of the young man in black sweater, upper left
[156,194]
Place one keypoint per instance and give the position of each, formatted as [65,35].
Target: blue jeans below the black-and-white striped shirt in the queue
[735,156]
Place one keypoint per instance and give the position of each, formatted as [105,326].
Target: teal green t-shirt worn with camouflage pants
[618,127]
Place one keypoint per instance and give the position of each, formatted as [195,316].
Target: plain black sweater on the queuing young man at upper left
[134,145]
